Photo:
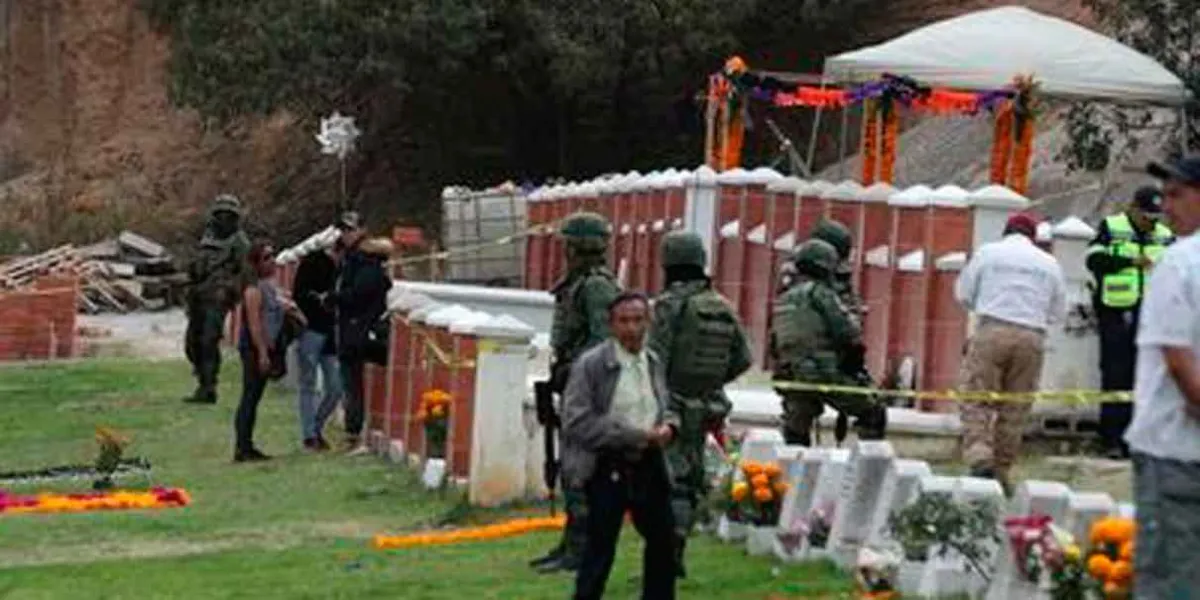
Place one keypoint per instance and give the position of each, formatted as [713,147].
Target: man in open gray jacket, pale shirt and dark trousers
[616,423]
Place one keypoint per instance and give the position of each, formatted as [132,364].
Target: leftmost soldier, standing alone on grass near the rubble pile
[215,279]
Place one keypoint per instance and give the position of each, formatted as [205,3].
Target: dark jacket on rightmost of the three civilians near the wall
[362,298]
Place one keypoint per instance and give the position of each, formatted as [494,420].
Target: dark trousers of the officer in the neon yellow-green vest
[1119,357]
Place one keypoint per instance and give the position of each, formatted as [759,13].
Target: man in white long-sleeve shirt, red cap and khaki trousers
[1016,292]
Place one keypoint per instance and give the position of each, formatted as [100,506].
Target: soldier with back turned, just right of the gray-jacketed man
[698,337]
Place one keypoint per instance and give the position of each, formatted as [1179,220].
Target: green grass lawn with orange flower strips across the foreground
[297,527]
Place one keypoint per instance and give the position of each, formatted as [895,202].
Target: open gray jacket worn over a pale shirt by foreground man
[589,430]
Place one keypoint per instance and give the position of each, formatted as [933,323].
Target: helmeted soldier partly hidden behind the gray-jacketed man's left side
[581,321]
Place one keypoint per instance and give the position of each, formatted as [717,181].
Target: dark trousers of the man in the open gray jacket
[644,490]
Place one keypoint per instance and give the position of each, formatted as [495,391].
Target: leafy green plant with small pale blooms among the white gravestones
[939,523]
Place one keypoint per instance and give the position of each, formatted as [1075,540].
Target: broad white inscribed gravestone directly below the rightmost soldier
[862,487]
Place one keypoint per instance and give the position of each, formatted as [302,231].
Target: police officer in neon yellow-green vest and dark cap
[1120,259]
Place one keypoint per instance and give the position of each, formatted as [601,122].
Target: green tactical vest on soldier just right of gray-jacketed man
[706,338]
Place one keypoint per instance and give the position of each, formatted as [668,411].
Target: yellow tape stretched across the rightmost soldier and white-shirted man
[1079,398]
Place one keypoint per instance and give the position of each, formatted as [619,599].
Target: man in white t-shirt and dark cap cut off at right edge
[1165,436]
